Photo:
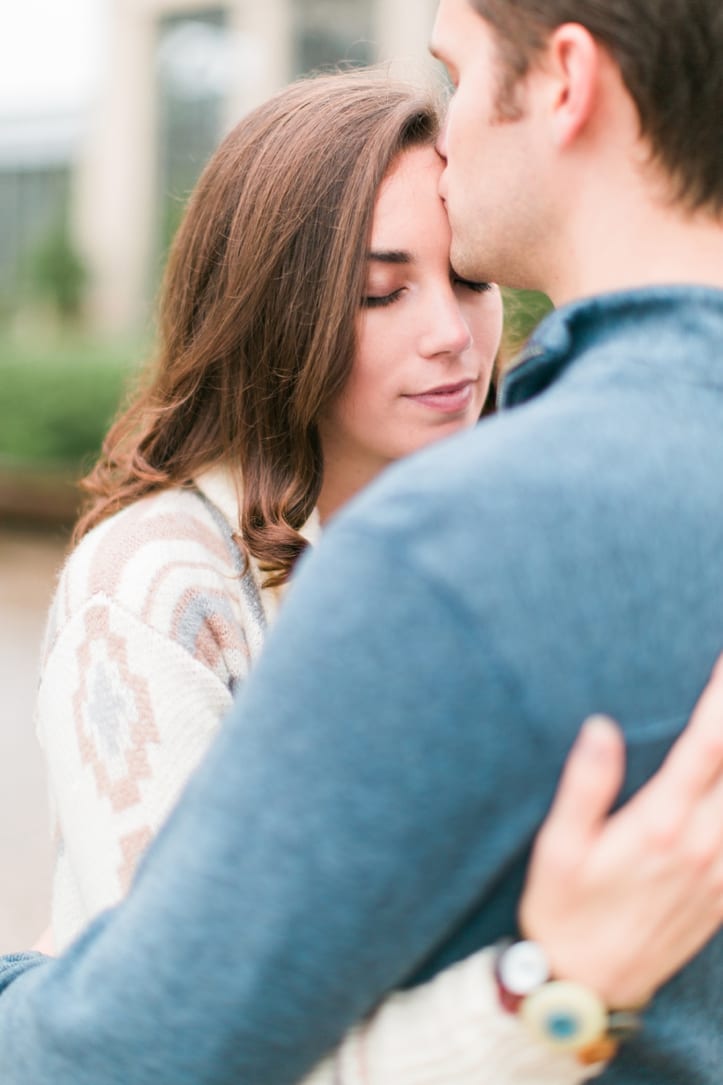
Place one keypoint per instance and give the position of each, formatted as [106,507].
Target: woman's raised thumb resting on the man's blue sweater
[591,781]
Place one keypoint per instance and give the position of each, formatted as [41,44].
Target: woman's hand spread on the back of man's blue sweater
[620,902]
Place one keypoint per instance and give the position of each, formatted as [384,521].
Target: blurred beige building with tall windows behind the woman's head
[179,74]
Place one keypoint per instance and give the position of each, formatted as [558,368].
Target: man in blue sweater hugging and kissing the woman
[486,598]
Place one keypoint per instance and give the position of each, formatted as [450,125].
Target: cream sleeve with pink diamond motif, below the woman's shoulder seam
[125,717]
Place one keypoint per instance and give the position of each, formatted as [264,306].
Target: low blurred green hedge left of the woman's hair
[56,404]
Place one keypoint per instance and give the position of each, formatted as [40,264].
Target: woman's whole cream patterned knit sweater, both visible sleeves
[154,627]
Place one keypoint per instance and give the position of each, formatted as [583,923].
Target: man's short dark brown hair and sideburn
[670,56]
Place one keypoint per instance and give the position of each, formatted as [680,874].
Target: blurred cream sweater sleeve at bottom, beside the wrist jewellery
[450,1031]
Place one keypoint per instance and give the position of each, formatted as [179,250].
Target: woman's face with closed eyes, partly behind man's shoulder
[426,339]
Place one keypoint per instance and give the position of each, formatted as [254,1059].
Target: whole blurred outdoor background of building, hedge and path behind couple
[109,110]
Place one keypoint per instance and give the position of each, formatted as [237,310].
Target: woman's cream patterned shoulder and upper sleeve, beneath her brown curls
[147,641]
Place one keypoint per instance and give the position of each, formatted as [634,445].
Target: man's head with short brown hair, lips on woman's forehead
[573,117]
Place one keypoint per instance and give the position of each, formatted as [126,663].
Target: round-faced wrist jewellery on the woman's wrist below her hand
[562,1014]
